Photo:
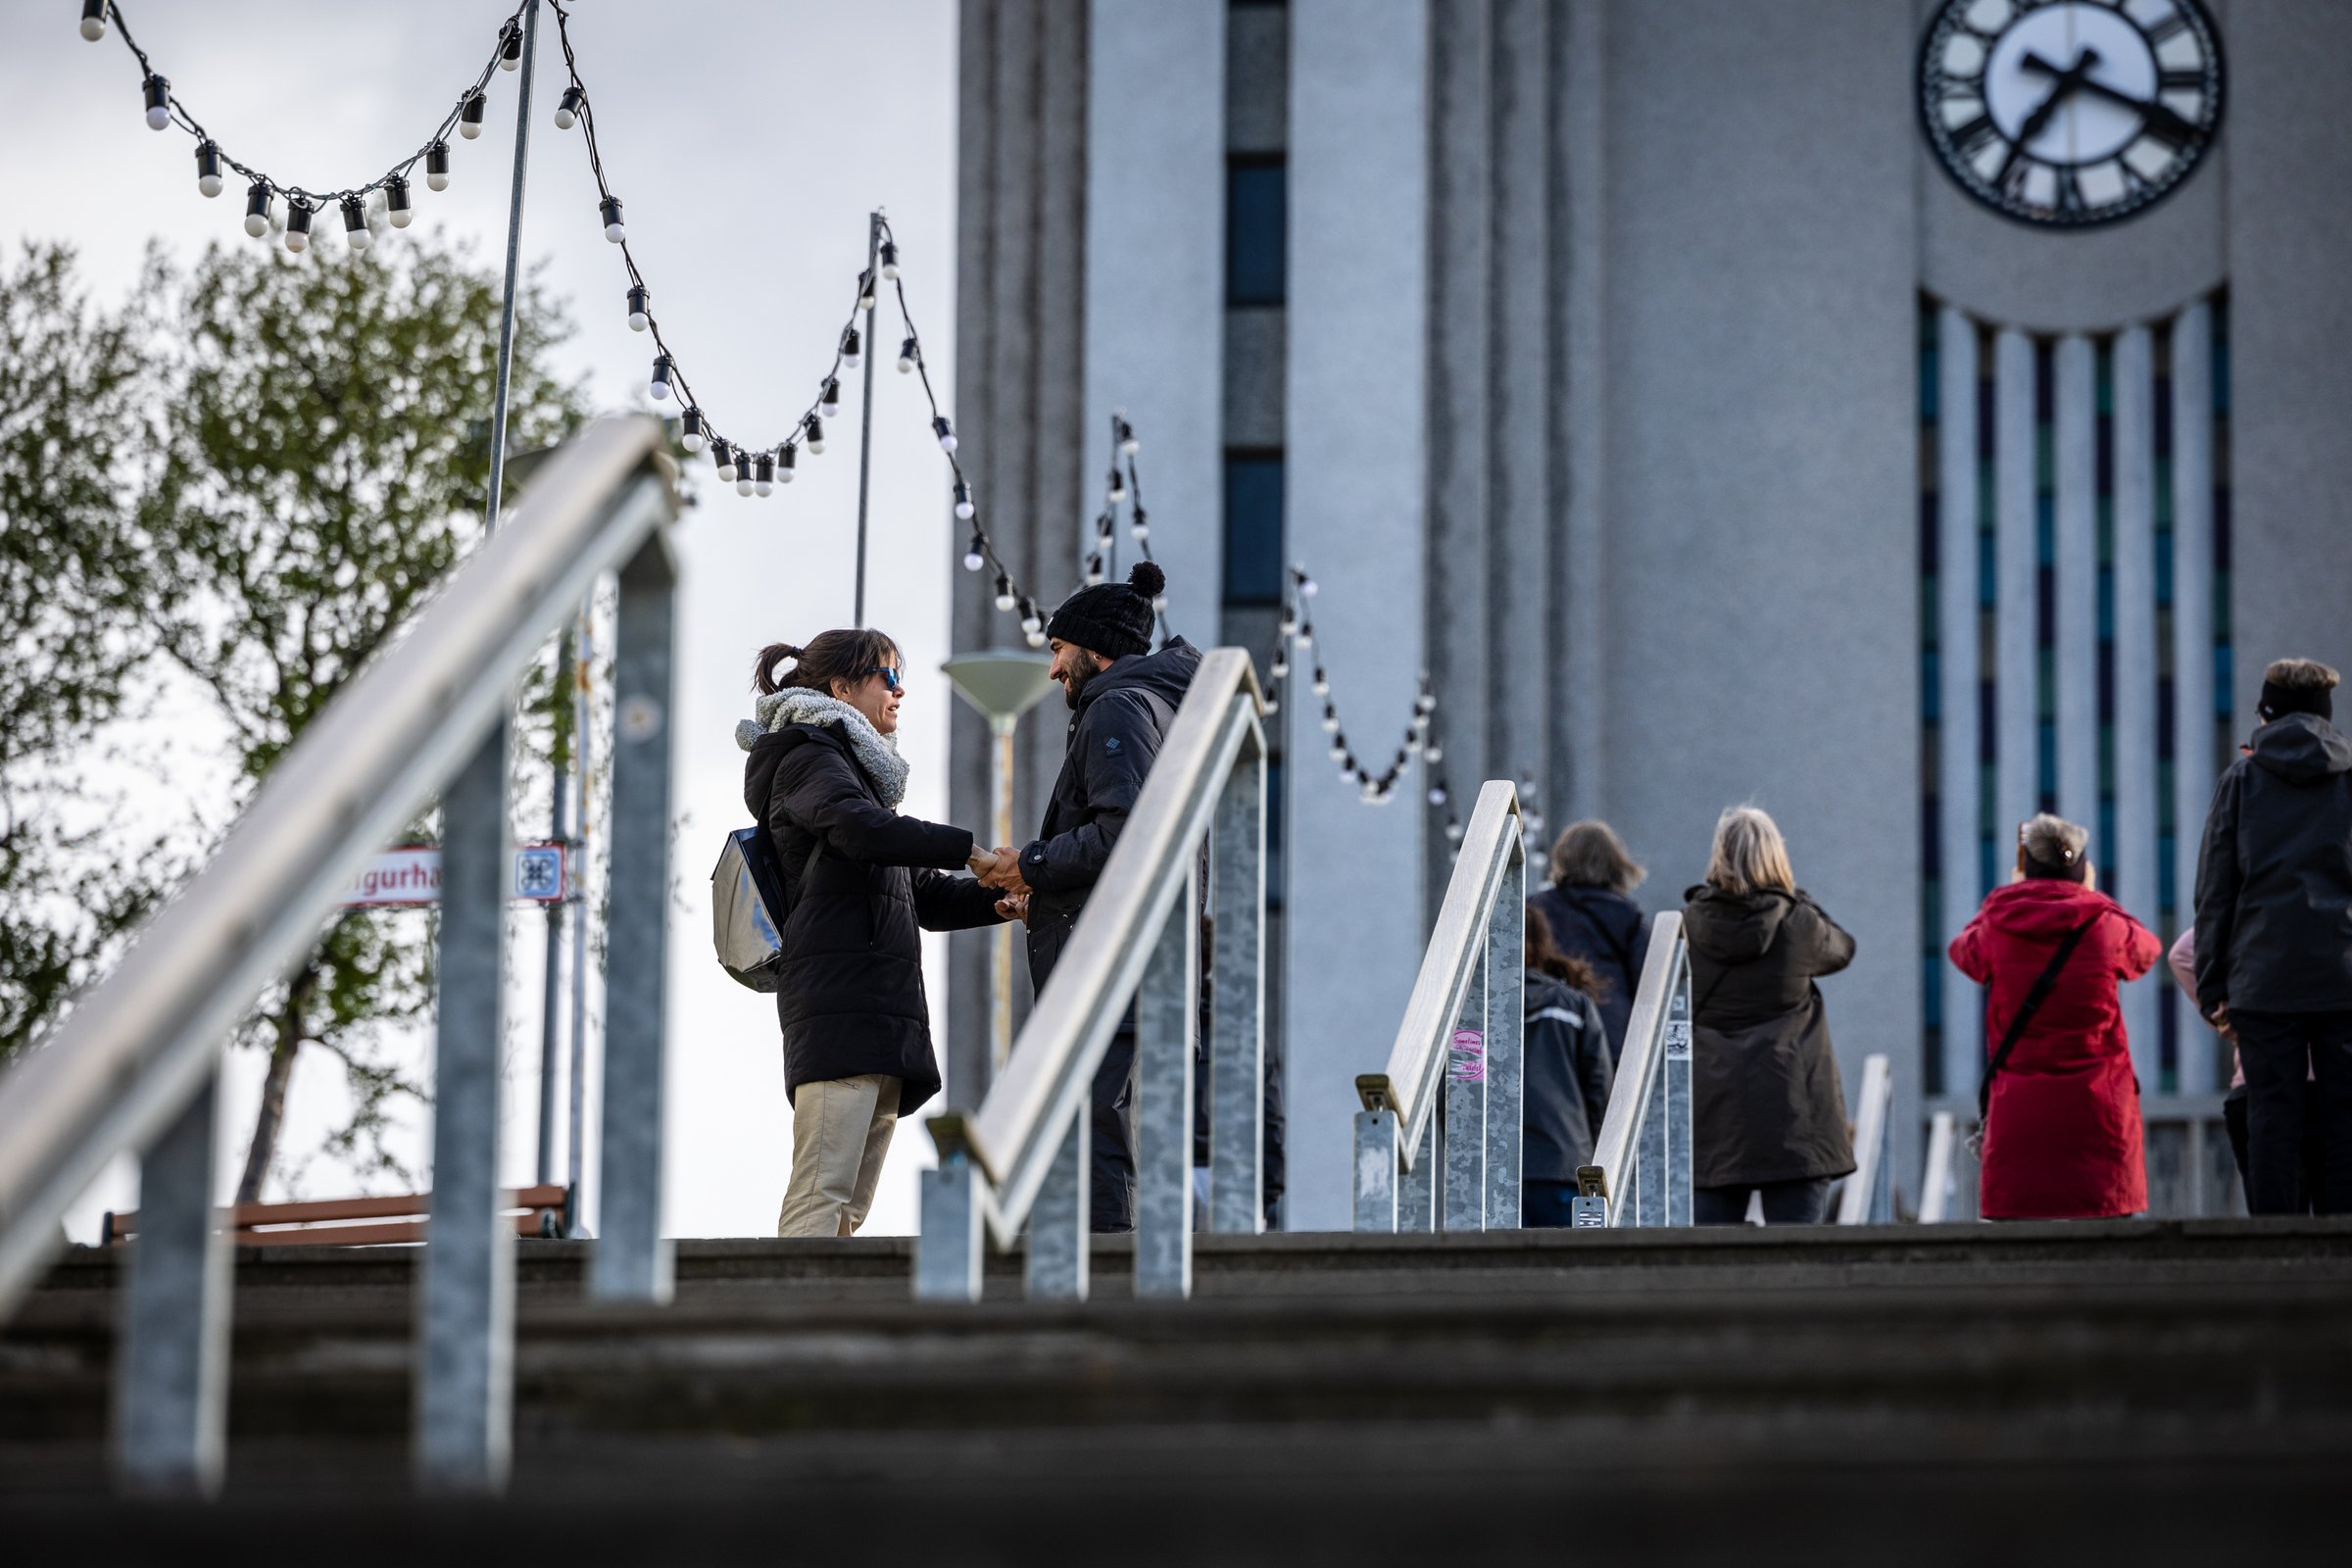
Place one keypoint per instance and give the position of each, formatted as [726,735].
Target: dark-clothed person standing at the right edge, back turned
[2276,934]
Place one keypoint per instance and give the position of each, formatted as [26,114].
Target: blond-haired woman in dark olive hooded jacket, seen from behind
[1768,1108]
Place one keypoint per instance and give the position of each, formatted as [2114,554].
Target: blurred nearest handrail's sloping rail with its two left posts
[133,1066]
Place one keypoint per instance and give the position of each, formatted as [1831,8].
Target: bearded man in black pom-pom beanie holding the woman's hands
[1123,699]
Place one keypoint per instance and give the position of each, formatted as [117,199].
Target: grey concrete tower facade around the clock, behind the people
[1603,401]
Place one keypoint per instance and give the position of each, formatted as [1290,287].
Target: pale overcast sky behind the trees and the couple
[747,140]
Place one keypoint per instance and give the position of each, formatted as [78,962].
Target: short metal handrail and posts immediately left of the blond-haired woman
[1641,1167]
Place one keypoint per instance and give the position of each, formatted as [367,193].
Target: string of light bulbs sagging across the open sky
[387,199]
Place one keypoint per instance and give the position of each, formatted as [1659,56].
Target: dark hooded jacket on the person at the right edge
[2276,876]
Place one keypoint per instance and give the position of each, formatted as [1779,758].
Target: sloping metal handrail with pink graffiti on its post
[1459,1043]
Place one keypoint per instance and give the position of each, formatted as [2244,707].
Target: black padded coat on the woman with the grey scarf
[850,996]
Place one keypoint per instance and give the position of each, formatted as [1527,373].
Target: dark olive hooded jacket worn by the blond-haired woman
[1765,1097]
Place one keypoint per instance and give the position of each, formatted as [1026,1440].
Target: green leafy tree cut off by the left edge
[76,594]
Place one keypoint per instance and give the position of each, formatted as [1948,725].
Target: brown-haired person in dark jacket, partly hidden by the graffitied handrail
[1568,1078]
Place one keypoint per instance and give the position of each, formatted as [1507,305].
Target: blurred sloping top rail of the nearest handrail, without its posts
[138,1047]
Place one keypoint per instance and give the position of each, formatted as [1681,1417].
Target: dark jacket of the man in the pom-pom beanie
[1116,735]
